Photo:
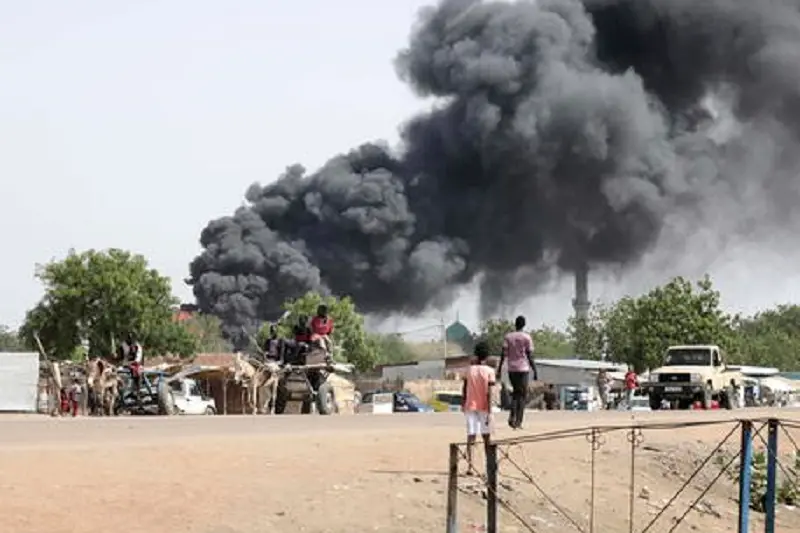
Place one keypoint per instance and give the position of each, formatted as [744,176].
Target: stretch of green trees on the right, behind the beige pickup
[638,330]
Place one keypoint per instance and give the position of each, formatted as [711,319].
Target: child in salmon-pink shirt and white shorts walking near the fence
[477,401]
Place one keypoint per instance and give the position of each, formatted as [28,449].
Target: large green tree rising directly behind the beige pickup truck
[638,331]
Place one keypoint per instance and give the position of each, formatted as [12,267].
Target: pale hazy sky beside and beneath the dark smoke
[131,124]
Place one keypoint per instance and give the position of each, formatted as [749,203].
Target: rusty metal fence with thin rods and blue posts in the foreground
[528,483]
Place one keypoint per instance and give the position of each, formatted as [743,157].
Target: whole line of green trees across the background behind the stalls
[91,299]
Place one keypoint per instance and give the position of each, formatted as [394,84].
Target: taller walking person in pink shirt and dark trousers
[518,351]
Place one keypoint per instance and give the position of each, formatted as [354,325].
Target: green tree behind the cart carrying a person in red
[349,334]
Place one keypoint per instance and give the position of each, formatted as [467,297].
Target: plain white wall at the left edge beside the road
[19,381]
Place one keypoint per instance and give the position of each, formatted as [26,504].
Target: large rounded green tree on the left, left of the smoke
[99,296]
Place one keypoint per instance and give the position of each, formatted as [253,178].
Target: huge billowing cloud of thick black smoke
[565,132]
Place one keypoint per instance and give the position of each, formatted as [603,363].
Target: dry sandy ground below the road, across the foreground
[350,474]
